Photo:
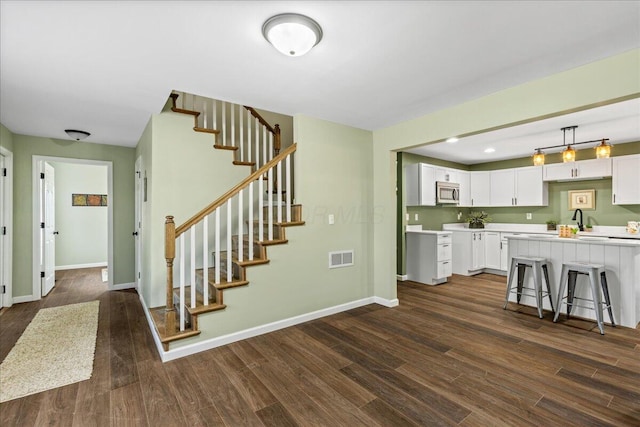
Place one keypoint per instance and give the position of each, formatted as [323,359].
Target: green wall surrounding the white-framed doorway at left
[25,147]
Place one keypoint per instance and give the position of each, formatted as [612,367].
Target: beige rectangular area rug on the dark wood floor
[56,349]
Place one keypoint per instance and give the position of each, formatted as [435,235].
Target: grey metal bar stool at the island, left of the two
[538,267]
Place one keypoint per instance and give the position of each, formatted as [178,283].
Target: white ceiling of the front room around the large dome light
[105,67]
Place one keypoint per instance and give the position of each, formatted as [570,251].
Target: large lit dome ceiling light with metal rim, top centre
[291,33]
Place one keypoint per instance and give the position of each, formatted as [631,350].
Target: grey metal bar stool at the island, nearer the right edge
[570,271]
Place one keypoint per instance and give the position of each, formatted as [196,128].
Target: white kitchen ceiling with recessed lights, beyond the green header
[619,122]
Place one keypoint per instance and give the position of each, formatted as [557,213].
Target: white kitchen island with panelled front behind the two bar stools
[621,258]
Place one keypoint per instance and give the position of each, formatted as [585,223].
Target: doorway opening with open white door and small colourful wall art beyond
[80,234]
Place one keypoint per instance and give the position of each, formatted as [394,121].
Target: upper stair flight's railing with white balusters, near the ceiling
[241,128]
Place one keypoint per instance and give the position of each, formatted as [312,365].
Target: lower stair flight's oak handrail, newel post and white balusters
[200,287]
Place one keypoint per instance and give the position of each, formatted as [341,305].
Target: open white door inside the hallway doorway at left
[49,250]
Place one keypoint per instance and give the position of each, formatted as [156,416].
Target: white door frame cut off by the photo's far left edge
[7,241]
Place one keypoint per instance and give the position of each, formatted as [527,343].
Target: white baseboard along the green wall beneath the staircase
[190,349]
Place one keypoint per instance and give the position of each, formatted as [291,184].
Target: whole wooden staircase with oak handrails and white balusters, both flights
[210,253]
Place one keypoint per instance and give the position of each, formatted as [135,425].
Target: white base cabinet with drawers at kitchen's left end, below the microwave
[429,256]
